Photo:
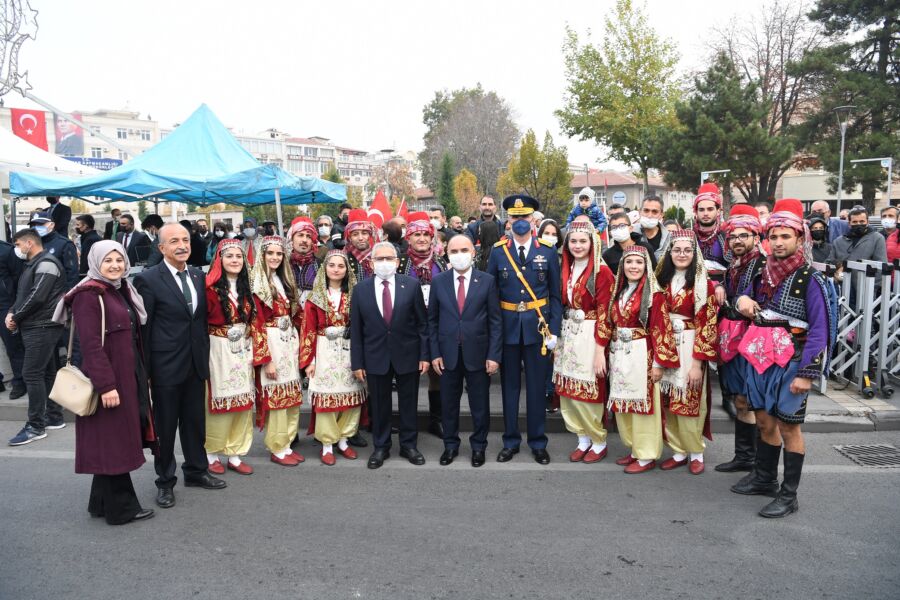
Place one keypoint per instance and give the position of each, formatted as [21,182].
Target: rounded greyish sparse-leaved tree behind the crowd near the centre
[475,127]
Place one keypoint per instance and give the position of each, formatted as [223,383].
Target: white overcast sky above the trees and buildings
[357,72]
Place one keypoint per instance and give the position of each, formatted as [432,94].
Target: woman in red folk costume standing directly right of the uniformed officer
[579,369]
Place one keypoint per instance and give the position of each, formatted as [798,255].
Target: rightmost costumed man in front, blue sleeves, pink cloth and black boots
[790,332]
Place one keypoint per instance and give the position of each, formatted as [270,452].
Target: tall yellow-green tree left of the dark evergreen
[622,93]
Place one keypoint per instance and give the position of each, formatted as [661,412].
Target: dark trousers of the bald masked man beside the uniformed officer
[478,383]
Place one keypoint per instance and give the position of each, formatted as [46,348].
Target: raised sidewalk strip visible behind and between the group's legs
[837,411]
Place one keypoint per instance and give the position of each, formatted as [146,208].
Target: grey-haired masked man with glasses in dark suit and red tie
[388,340]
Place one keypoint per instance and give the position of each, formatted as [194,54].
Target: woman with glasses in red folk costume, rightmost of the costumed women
[691,303]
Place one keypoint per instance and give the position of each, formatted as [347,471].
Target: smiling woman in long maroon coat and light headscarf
[109,444]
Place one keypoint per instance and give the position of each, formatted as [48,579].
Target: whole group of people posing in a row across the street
[633,333]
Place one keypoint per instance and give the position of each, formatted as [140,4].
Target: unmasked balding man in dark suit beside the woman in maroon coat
[177,350]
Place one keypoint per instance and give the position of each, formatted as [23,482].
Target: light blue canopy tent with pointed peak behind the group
[201,163]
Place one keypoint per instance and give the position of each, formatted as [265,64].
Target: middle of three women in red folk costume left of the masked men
[276,350]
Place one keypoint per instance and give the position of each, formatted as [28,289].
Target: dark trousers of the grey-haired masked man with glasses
[380,407]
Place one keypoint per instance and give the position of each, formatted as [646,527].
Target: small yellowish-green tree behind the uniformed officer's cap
[540,172]
